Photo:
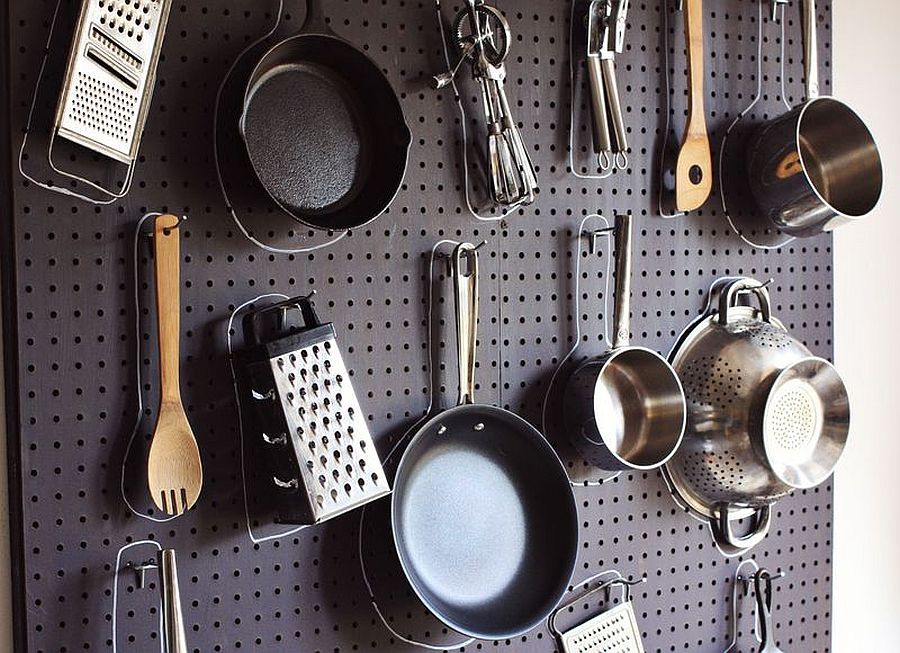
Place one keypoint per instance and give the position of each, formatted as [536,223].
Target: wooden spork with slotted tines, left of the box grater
[174,470]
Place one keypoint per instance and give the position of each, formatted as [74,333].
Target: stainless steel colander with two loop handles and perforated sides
[765,417]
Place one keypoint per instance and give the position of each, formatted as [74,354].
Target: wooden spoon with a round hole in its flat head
[693,174]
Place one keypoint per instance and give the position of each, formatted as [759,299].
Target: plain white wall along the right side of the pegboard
[867,269]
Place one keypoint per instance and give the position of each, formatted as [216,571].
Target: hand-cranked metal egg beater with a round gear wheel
[483,37]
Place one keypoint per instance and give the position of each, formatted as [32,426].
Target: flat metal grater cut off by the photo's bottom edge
[613,631]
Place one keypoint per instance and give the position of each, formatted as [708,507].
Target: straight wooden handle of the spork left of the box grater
[168,304]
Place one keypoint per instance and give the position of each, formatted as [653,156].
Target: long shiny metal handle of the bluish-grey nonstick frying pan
[465,285]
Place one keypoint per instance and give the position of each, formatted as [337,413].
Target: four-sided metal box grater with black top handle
[320,456]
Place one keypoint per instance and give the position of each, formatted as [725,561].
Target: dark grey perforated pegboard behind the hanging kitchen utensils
[73,376]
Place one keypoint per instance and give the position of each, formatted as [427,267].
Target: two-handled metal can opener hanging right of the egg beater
[607,21]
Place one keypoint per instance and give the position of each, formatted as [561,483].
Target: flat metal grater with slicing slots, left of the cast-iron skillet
[110,75]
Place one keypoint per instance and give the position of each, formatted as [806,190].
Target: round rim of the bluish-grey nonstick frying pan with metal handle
[572,507]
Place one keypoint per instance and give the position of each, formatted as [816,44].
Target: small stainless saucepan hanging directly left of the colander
[625,410]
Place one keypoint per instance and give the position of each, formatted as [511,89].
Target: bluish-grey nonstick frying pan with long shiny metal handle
[483,514]
